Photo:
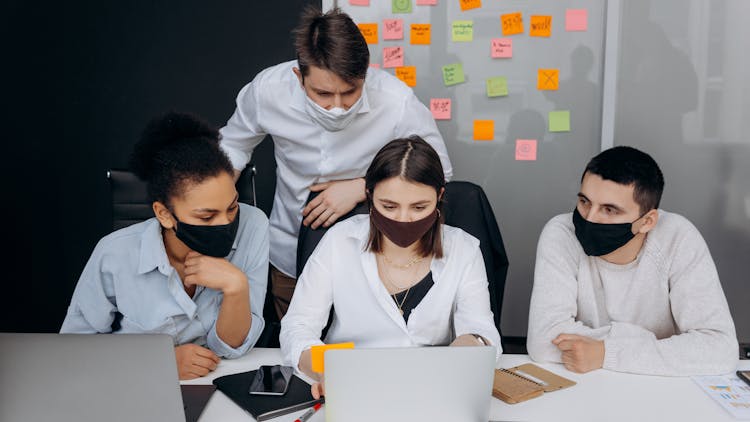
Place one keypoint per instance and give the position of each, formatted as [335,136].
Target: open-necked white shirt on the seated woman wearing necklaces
[340,273]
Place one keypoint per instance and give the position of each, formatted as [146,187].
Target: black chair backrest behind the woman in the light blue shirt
[130,202]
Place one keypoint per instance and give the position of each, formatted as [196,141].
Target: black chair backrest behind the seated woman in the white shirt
[466,207]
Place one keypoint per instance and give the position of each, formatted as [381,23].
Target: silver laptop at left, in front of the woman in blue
[88,377]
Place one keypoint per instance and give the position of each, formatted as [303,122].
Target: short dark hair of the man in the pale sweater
[626,165]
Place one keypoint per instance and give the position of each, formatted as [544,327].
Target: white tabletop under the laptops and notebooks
[598,396]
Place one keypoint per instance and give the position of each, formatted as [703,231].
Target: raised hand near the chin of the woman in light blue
[214,273]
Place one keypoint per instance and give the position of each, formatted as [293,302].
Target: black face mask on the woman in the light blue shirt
[214,241]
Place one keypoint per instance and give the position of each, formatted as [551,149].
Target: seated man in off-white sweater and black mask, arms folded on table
[622,285]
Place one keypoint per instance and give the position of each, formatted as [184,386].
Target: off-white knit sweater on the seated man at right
[663,314]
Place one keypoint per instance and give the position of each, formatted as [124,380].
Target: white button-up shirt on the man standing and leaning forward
[274,103]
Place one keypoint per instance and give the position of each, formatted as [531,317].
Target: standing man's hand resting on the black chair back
[336,198]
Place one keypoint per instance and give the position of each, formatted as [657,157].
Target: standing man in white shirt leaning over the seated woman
[328,114]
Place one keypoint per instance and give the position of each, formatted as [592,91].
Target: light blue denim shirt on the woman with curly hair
[129,272]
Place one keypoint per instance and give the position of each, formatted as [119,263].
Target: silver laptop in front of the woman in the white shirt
[409,384]
